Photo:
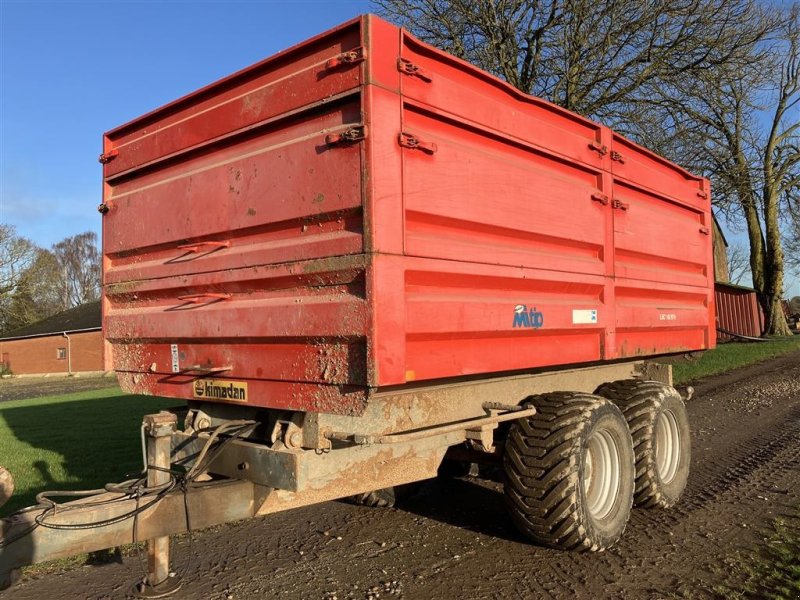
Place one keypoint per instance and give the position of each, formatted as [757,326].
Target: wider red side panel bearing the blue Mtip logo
[506,209]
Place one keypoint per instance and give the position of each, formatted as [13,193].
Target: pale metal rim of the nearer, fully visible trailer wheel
[601,473]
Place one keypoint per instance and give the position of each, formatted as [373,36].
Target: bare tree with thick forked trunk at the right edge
[744,128]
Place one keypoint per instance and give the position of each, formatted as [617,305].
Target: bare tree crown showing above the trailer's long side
[600,59]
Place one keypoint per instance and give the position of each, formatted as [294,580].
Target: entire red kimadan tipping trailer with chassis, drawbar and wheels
[363,256]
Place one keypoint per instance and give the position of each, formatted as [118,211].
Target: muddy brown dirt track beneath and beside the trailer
[454,539]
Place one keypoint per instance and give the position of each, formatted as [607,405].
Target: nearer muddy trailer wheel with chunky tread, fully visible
[569,472]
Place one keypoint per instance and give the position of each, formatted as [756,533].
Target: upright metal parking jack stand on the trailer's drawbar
[158,429]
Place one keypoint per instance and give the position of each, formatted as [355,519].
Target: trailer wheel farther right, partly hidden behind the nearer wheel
[648,405]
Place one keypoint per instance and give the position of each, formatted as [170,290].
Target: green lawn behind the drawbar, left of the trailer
[73,441]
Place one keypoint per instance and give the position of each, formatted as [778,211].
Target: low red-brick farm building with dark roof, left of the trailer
[69,342]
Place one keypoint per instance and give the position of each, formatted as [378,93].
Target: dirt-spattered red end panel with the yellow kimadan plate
[234,239]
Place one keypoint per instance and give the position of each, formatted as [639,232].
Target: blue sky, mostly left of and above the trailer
[71,70]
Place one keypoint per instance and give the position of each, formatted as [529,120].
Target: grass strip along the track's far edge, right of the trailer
[726,357]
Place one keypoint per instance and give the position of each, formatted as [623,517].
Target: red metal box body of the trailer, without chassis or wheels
[364,211]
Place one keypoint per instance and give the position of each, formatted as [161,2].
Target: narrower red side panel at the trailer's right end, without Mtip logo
[662,243]
